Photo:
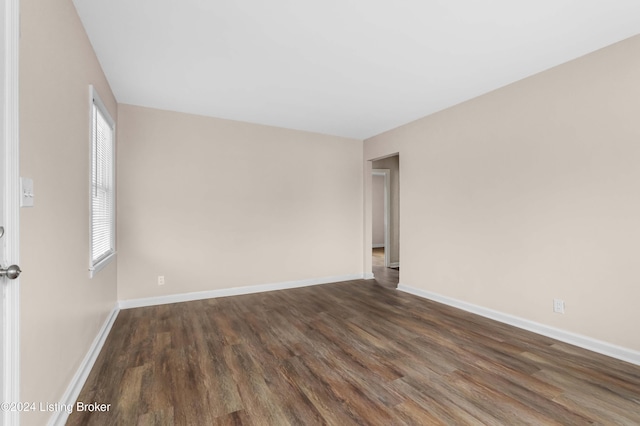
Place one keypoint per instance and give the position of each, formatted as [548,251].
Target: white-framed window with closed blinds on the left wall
[102,186]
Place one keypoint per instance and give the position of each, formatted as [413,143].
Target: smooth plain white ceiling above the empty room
[351,68]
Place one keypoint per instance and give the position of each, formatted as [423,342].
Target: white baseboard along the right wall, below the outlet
[585,342]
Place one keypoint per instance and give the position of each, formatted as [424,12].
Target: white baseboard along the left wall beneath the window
[59,418]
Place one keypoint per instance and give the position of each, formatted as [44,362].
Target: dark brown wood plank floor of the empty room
[343,354]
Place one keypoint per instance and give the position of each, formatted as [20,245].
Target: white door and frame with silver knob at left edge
[10,356]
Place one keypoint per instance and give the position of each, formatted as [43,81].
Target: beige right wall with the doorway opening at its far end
[530,193]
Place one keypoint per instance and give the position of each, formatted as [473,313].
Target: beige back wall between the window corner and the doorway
[215,204]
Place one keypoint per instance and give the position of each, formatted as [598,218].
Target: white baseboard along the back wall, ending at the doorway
[236,291]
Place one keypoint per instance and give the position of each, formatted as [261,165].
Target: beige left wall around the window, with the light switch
[62,309]
